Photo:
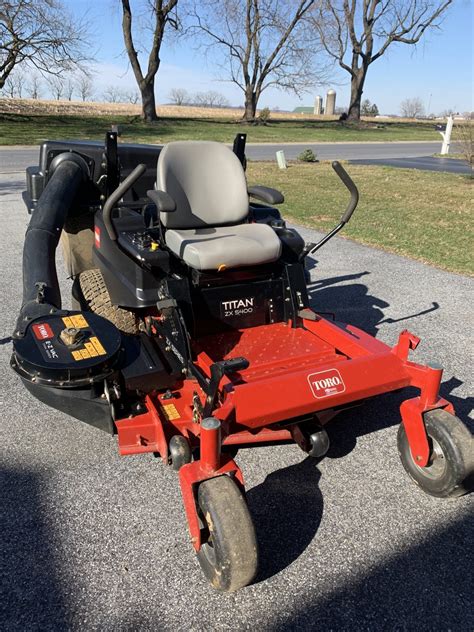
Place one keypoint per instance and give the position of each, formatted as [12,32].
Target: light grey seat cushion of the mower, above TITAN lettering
[229,246]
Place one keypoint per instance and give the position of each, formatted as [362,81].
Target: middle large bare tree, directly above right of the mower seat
[262,43]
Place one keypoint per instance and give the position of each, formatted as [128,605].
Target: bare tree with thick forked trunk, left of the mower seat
[163,13]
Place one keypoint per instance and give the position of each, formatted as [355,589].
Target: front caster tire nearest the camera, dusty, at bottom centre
[229,558]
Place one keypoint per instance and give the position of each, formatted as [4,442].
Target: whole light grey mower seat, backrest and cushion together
[208,230]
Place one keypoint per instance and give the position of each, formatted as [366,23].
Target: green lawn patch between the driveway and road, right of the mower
[425,215]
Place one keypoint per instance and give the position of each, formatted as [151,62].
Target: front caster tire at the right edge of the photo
[450,469]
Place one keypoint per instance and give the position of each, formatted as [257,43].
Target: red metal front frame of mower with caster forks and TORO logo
[248,416]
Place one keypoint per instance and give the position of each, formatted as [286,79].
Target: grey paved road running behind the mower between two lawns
[13,159]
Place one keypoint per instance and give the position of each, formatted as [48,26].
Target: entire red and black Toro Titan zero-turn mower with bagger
[191,333]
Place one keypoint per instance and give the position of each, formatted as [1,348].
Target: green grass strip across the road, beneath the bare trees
[17,129]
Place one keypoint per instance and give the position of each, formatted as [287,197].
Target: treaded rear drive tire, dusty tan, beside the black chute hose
[92,294]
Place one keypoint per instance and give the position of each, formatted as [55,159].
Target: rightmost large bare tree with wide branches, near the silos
[356,33]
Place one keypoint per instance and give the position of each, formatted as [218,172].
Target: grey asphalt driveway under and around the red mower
[93,541]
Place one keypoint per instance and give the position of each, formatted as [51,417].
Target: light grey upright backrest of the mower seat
[207,182]
